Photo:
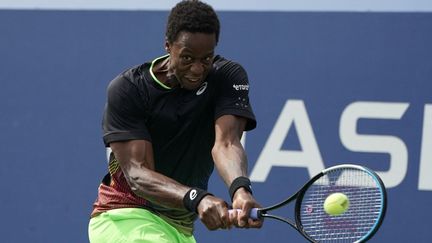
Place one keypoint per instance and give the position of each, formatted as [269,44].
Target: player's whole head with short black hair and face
[191,37]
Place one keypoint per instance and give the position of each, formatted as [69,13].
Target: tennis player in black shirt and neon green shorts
[168,122]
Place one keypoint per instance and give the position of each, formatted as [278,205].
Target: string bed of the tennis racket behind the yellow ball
[365,198]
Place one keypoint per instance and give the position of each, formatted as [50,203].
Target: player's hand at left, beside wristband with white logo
[213,212]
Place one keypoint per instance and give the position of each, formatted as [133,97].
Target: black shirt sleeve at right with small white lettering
[233,94]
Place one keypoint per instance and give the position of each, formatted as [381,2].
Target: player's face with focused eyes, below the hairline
[191,58]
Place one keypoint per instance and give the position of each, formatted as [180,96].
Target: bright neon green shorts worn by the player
[133,225]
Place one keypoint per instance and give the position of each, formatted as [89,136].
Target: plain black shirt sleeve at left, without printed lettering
[125,113]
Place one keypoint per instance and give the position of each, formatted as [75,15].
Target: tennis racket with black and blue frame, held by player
[366,211]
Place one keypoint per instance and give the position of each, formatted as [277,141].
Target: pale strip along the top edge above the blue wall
[229,5]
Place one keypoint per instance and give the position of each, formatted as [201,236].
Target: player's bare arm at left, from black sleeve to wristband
[137,163]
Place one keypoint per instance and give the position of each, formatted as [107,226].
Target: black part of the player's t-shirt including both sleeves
[179,123]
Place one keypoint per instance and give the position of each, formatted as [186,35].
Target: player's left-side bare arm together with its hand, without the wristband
[137,163]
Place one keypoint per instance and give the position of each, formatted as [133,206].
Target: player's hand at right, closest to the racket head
[244,200]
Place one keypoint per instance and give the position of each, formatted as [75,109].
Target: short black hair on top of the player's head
[192,16]
